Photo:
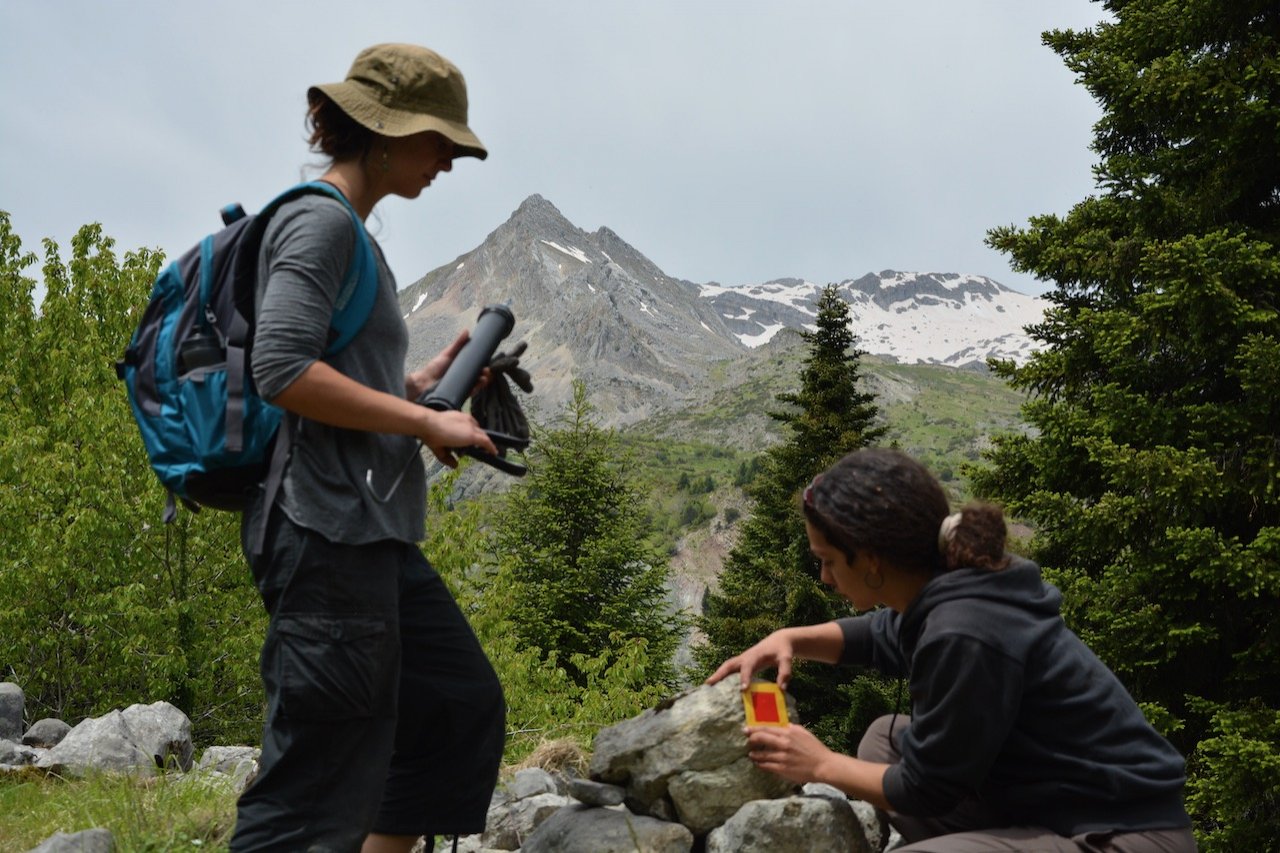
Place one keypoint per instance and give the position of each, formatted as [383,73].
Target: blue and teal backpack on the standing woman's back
[189,367]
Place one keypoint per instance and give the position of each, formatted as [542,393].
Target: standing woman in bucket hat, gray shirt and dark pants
[385,719]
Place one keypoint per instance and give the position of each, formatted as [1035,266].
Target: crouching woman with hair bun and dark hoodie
[1020,737]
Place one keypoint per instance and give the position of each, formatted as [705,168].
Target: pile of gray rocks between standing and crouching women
[673,779]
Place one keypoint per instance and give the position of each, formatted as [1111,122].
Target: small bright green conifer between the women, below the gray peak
[573,550]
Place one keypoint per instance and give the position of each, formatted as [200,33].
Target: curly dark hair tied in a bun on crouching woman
[885,503]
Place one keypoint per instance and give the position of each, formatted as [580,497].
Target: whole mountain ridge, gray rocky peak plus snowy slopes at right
[596,309]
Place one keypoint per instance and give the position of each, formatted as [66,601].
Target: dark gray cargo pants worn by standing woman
[383,713]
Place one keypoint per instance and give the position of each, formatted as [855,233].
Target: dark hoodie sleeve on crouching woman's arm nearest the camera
[964,701]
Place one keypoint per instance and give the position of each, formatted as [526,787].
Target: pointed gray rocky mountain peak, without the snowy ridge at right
[589,305]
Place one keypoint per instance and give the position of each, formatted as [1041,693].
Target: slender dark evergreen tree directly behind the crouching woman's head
[770,580]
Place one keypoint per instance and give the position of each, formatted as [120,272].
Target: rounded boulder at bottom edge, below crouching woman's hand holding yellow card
[792,825]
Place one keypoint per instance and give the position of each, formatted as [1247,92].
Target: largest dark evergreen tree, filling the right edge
[1154,473]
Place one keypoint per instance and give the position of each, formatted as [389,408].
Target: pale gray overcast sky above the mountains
[734,143]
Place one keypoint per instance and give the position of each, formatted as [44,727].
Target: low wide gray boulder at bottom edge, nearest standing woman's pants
[584,829]
